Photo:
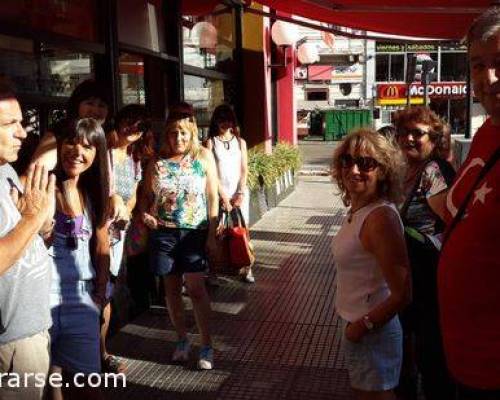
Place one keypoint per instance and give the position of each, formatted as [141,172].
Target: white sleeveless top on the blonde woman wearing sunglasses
[360,283]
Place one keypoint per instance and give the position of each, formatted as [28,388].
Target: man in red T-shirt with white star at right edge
[469,268]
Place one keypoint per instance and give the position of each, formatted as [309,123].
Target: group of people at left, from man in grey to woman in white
[65,224]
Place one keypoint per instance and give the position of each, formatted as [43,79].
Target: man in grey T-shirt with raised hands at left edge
[24,263]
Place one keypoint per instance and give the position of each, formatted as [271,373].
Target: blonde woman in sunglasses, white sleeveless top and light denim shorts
[372,265]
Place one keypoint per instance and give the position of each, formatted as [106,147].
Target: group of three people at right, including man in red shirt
[417,255]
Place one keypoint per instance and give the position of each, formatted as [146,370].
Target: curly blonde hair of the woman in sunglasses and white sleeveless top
[392,166]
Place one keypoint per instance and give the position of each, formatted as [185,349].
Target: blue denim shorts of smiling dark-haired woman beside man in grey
[75,329]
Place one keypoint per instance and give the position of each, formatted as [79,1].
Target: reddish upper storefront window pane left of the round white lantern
[141,24]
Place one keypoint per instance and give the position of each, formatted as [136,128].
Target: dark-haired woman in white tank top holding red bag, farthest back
[230,152]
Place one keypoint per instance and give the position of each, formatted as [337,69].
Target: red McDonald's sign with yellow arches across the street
[448,90]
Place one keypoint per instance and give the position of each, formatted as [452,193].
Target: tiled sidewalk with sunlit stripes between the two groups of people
[277,339]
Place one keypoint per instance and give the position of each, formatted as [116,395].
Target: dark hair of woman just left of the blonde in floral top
[133,113]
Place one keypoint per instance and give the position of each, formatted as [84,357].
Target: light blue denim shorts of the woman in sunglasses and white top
[374,363]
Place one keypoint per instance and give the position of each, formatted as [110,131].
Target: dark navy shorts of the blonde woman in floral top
[177,251]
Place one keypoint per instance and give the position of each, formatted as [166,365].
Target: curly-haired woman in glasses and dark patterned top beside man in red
[425,142]
